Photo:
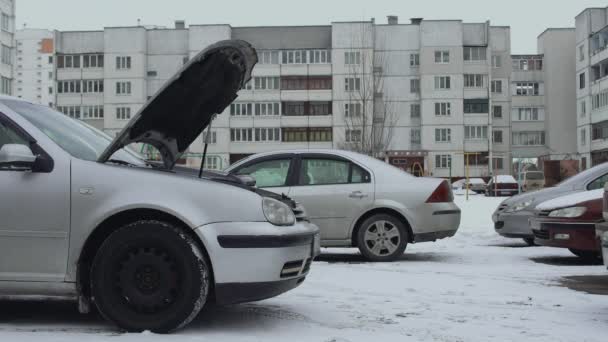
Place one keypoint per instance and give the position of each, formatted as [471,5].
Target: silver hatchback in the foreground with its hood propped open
[84,218]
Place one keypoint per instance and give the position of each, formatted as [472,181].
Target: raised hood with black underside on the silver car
[185,105]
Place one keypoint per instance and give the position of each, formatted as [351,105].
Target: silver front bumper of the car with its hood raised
[256,260]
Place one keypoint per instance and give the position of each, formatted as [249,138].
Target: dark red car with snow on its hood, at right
[569,222]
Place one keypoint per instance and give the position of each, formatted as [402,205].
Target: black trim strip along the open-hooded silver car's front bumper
[265,241]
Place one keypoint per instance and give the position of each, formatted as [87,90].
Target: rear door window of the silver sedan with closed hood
[324,172]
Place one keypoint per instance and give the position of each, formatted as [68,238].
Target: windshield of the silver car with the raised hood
[75,137]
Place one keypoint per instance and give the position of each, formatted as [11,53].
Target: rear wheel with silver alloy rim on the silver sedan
[386,232]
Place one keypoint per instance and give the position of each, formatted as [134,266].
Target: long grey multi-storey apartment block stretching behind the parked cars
[430,96]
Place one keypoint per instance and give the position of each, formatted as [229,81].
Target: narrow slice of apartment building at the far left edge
[7,45]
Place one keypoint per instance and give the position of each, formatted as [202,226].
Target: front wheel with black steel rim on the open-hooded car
[149,275]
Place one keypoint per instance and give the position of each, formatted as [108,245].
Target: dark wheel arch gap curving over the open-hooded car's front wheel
[115,222]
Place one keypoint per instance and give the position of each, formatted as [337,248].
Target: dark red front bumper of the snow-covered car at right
[573,235]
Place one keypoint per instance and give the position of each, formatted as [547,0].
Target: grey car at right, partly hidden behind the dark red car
[512,215]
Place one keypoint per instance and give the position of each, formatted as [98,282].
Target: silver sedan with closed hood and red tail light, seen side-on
[357,200]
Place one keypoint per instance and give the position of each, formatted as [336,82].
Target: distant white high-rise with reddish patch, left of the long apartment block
[34,68]
